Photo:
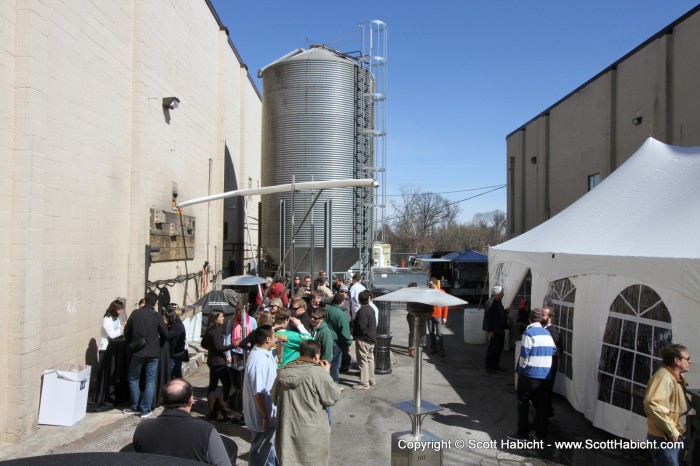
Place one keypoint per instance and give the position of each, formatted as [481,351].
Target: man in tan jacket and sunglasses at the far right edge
[665,402]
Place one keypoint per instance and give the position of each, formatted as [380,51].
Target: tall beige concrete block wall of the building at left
[86,150]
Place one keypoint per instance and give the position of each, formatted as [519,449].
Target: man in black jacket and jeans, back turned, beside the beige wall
[144,333]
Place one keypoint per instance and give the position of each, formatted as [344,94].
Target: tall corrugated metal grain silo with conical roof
[316,126]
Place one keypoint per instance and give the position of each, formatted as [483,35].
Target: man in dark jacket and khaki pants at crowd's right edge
[365,330]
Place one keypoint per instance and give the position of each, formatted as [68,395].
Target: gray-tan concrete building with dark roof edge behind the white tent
[566,150]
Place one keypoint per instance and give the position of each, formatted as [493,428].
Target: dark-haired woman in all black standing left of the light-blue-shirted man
[213,341]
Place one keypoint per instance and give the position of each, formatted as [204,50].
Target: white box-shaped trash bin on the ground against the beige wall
[64,394]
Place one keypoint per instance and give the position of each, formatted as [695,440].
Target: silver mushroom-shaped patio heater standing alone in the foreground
[419,302]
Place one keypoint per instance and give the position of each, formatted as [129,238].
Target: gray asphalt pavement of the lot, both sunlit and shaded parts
[478,407]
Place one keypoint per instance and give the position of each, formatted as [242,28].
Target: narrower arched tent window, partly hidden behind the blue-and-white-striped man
[561,298]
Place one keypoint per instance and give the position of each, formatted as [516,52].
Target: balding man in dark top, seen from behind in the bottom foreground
[176,433]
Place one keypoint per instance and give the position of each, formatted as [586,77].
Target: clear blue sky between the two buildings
[462,74]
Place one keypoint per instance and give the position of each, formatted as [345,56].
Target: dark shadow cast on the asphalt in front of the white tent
[489,403]
